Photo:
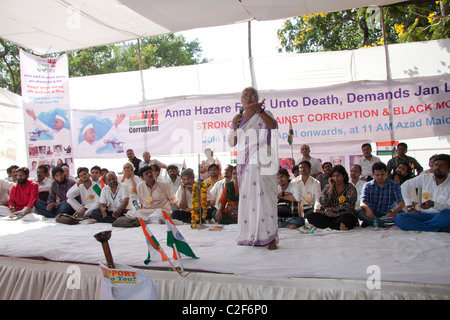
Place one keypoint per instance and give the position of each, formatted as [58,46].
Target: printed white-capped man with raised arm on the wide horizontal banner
[89,145]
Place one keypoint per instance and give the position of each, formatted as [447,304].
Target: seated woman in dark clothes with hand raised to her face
[338,198]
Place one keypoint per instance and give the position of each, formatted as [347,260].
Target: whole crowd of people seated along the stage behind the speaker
[398,193]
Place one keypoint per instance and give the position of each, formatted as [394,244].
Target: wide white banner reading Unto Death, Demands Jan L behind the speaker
[363,111]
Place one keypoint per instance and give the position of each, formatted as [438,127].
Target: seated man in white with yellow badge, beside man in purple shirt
[84,190]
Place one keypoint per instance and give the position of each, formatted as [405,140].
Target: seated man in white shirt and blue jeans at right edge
[433,213]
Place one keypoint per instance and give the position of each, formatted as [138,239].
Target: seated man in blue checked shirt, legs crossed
[381,198]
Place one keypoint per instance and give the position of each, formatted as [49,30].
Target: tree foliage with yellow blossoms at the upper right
[356,28]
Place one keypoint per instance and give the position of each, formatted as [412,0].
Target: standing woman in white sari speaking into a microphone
[254,132]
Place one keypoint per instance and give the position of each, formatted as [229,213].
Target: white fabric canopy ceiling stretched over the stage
[47,26]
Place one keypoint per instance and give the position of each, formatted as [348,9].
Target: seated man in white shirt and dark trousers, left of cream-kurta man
[113,201]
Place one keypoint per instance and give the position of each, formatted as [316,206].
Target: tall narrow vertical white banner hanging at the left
[45,94]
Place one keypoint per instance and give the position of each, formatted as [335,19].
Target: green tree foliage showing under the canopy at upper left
[164,51]
